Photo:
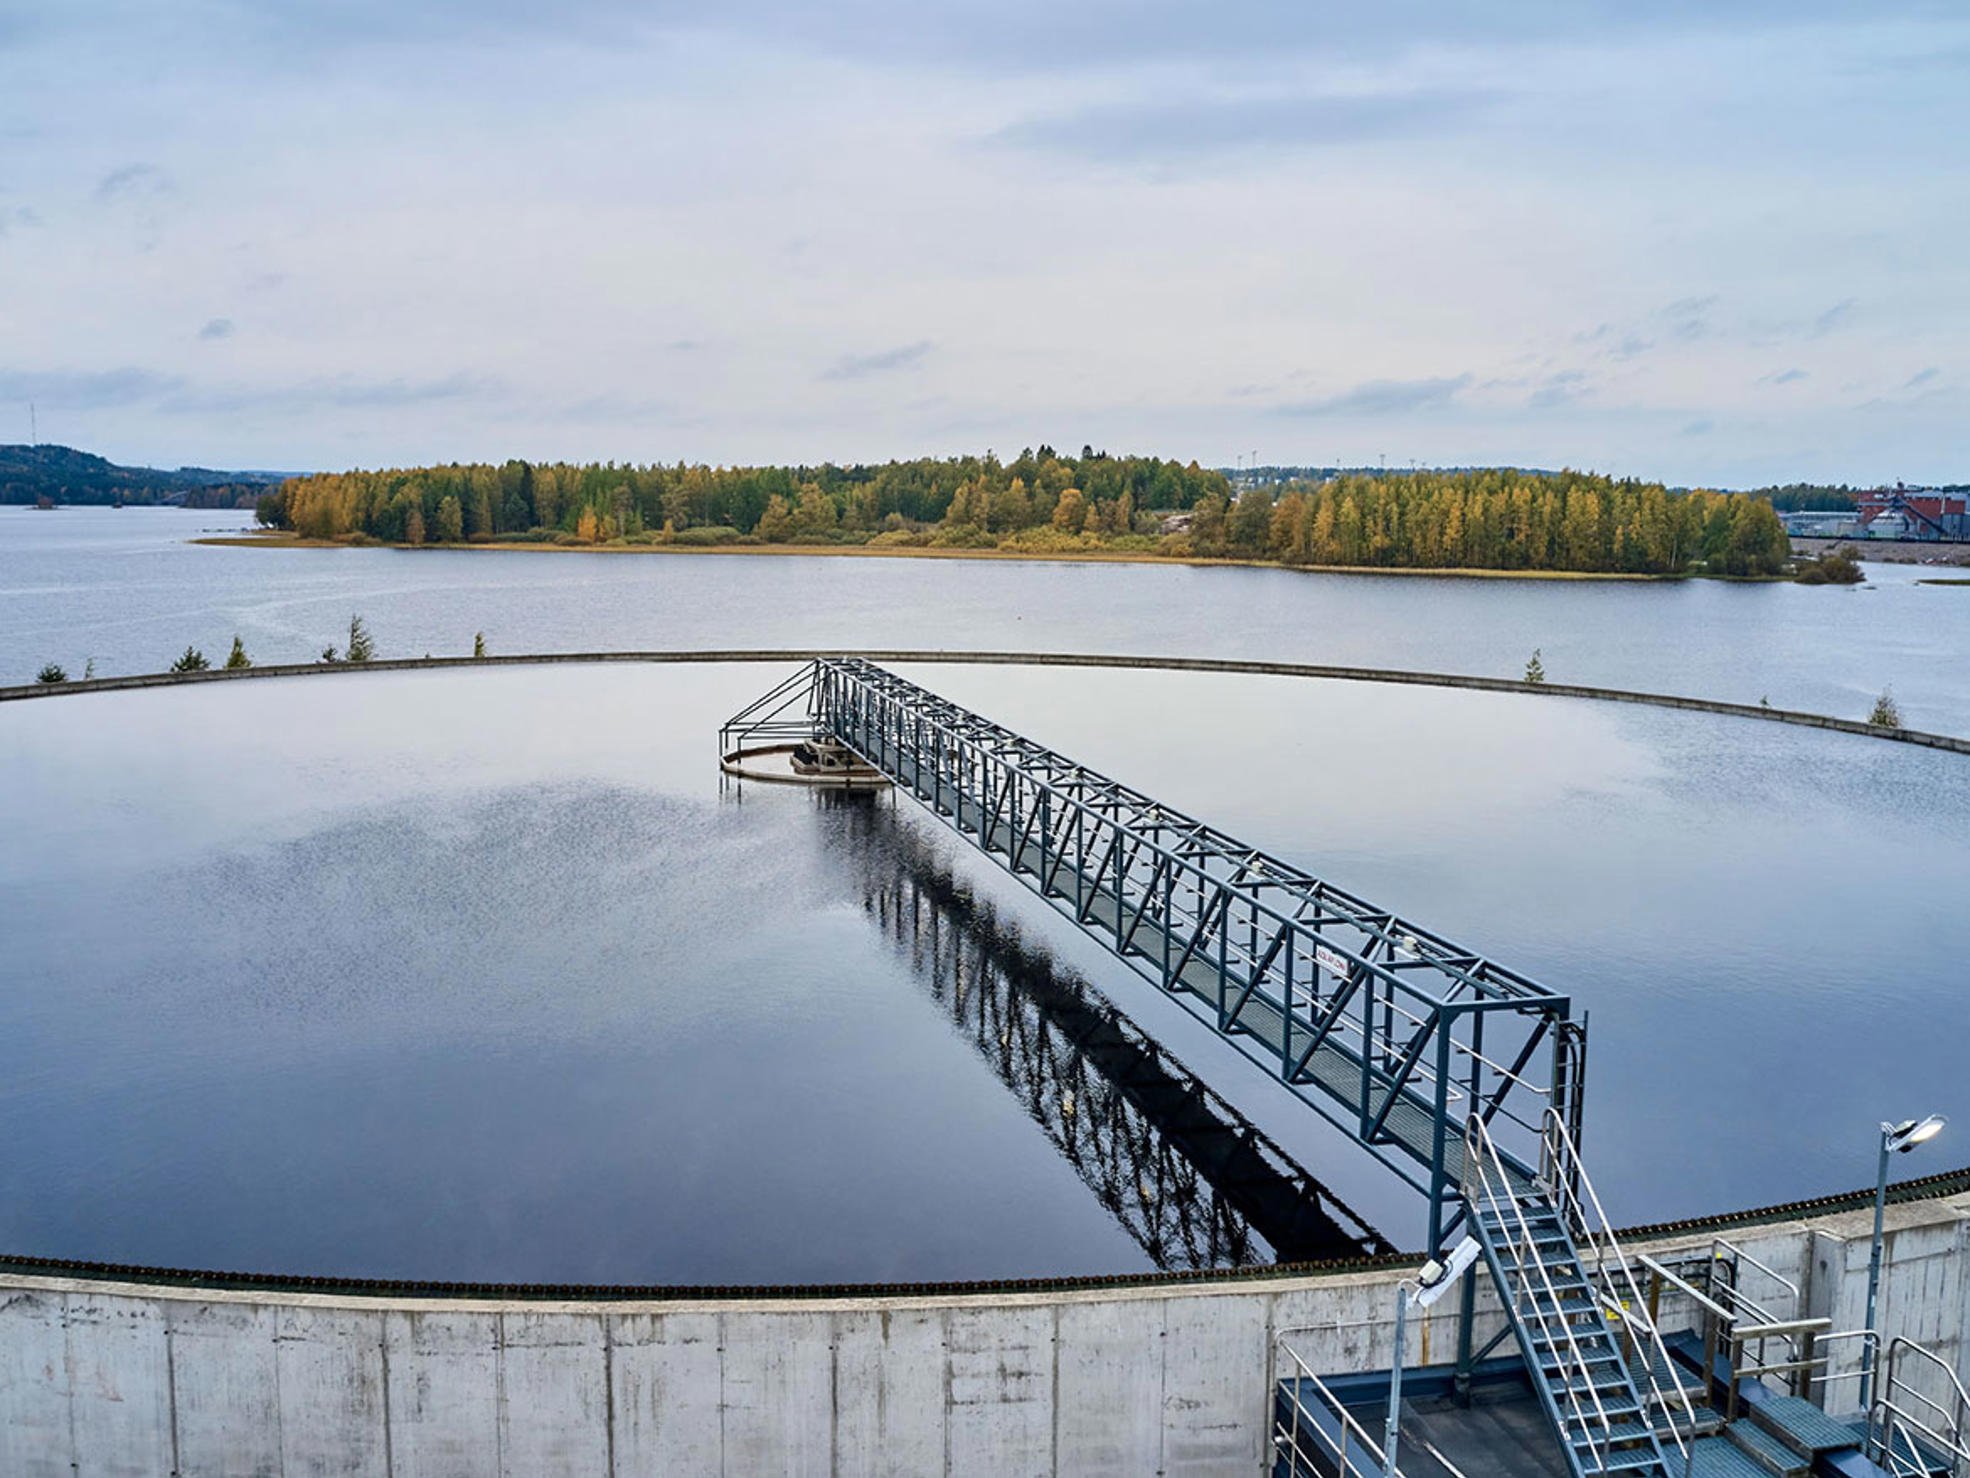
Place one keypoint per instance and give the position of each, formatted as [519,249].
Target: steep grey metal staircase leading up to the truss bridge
[1595,1359]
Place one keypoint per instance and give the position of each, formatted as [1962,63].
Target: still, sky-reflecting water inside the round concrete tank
[486,976]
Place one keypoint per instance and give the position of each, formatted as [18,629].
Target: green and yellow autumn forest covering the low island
[1045,504]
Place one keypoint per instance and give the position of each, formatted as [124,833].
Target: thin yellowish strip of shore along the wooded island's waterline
[1021,557]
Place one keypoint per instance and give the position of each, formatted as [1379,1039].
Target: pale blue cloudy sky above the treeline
[1705,241]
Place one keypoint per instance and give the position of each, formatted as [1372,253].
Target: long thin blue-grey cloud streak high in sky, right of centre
[1165,129]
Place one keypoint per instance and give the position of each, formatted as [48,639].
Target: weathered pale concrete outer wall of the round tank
[123,1378]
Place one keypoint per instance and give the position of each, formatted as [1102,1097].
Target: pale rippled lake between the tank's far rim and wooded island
[125,586]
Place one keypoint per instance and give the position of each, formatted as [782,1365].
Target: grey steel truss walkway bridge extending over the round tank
[1390,1032]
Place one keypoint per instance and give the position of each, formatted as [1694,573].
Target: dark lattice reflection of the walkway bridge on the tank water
[1183,1172]
